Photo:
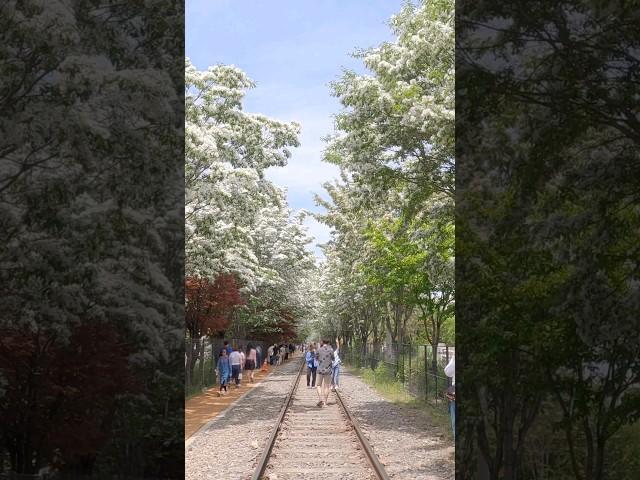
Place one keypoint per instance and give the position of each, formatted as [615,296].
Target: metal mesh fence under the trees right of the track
[412,366]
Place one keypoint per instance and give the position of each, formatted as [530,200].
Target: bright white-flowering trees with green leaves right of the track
[391,261]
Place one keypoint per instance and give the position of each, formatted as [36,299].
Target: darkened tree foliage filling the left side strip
[91,314]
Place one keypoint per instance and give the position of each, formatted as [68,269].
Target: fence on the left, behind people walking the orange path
[201,355]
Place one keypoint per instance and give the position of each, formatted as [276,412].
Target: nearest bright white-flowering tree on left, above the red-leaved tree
[227,151]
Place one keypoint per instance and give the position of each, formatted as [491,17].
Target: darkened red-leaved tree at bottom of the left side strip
[60,396]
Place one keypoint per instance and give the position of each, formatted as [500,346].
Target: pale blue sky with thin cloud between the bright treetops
[292,49]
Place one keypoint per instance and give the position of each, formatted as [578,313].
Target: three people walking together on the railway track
[323,364]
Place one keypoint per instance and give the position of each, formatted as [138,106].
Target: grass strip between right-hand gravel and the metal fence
[384,382]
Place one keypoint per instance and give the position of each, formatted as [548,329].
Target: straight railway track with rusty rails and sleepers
[310,442]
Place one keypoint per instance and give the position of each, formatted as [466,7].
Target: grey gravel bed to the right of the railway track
[408,446]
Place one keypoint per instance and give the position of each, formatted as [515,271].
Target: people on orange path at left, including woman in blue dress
[233,360]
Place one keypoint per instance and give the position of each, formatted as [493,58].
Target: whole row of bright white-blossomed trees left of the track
[237,222]
